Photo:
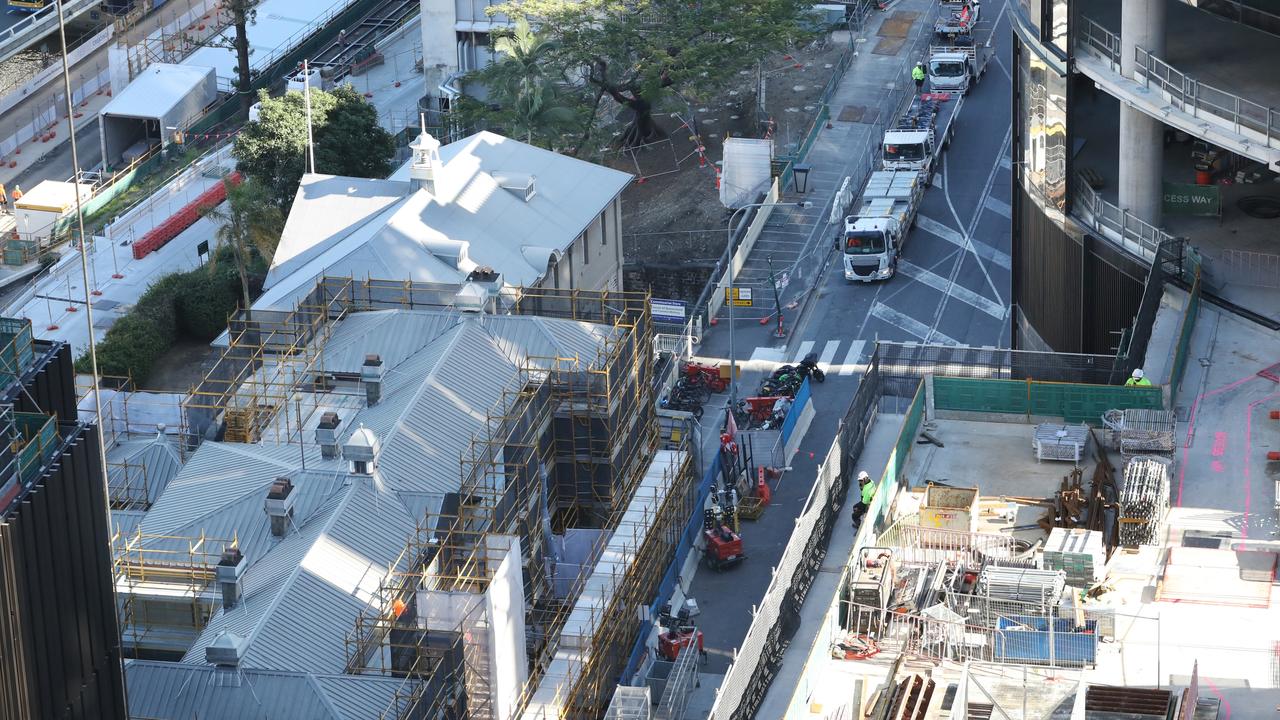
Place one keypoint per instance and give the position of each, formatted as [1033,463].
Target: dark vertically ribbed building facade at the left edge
[60,645]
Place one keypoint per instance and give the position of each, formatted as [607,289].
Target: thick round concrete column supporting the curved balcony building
[1142,138]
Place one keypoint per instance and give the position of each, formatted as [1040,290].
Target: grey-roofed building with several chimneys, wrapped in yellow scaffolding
[454,509]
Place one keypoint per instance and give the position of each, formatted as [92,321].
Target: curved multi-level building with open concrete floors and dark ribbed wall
[1113,122]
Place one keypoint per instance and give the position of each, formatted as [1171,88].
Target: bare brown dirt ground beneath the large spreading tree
[673,215]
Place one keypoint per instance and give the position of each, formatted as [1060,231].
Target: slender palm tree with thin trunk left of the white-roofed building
[248,224]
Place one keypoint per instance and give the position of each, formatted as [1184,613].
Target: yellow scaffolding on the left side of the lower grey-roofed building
[163,589]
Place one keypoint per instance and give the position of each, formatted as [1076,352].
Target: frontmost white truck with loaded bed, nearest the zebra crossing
[876,233]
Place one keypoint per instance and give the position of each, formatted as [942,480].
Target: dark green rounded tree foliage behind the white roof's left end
[349,142]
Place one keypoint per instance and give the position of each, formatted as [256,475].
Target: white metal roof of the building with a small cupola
[351,227]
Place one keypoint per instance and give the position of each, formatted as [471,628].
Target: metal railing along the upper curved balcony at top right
[1255,121]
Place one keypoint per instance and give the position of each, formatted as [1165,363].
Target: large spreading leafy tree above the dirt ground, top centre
[638,52]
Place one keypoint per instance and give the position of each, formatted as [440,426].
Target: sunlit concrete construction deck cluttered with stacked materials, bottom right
[1043,550]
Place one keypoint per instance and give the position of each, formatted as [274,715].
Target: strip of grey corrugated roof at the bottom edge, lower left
[177,691]
